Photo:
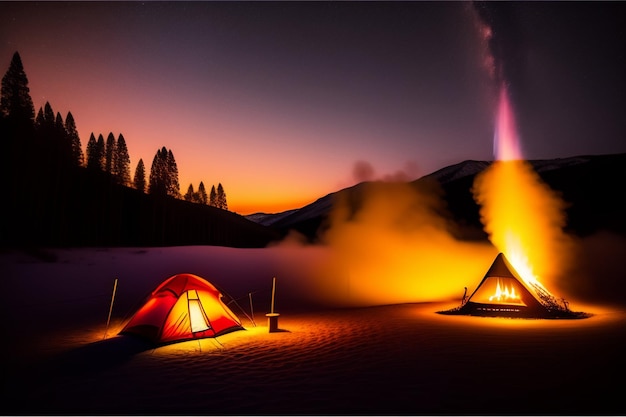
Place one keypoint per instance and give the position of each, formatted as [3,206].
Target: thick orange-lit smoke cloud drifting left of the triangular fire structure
[390,243]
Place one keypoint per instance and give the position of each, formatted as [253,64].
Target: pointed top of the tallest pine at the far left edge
[15,101]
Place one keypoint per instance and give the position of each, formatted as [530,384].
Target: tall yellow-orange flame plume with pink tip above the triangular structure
[523,217]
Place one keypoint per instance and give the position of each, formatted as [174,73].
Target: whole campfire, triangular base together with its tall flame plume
[524,219]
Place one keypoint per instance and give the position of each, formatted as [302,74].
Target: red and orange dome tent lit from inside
[183,307]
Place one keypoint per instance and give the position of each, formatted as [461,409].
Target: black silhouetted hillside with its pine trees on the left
[59,196]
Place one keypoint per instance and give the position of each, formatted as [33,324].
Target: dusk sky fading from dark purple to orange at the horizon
[285,102]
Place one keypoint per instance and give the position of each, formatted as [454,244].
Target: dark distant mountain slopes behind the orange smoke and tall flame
[593,185]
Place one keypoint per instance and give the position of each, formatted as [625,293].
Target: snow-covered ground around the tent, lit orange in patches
[335,354]
